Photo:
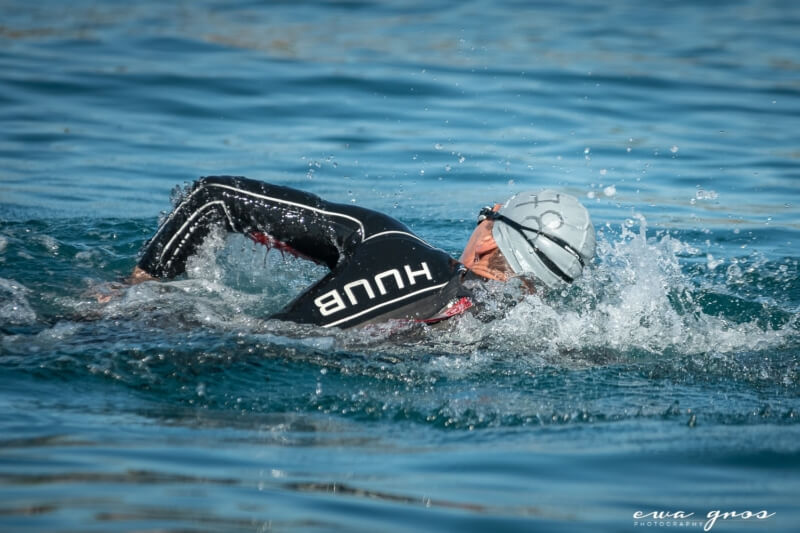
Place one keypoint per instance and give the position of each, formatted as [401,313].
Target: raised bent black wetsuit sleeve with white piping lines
[297,221]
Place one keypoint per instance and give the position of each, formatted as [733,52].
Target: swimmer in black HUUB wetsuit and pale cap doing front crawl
[379,269]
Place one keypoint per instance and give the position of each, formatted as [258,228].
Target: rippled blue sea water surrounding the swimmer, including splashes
[665,380]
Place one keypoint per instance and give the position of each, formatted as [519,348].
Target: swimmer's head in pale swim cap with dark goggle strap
[546,234]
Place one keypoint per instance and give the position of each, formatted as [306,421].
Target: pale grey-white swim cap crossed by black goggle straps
[544,233]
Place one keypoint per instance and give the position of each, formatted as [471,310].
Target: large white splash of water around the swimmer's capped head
[636,298]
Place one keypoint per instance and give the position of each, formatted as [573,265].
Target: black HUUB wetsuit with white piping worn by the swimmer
[380,270]
